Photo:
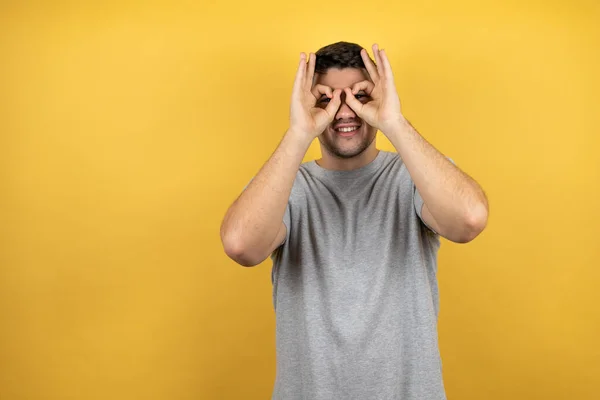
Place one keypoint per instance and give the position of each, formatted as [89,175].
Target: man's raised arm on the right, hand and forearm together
[455,206]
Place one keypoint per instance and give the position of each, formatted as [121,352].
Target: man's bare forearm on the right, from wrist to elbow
[455,200]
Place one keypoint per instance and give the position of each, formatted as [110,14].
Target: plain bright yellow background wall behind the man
[127,129]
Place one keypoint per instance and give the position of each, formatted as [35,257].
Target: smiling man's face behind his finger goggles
[336,139]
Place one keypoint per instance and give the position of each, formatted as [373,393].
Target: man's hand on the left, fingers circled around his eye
[306,118]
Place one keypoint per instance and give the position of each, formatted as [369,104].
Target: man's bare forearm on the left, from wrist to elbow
[252,222]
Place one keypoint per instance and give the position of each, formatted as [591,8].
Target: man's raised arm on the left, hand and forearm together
[253,225]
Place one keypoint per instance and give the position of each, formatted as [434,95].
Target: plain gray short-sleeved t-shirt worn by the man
[355,289]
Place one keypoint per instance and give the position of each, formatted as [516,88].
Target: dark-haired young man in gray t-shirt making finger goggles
[353,236]
